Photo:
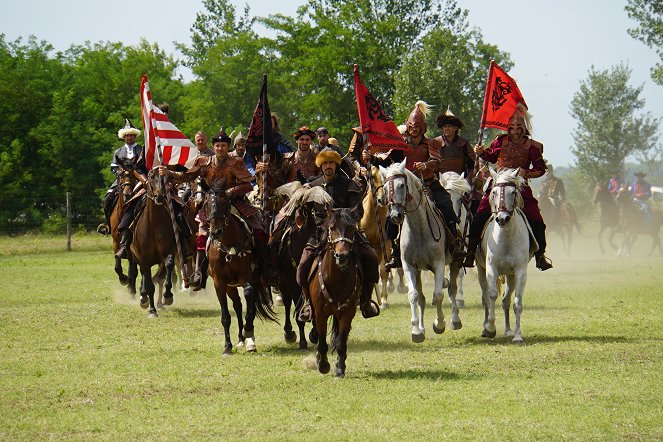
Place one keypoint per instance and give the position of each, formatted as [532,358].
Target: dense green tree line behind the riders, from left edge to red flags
[61,111]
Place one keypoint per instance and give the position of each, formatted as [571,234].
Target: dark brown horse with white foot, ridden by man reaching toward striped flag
[232,264]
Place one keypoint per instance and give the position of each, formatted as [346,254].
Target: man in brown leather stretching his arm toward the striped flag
[232,169]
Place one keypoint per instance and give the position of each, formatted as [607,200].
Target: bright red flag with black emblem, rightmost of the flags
[501,99]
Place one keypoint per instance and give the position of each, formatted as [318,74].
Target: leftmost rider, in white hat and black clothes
[128,156]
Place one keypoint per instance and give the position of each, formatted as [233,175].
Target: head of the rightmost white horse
[505,195]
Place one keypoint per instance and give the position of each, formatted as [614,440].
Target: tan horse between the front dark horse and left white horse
[375,210]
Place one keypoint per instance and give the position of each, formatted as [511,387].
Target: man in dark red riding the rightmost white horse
[516,149]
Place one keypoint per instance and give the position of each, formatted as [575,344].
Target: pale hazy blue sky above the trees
[553,44]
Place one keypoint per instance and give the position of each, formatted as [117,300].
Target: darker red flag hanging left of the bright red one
[381,130]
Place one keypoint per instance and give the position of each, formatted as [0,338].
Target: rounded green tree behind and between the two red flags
[450,69]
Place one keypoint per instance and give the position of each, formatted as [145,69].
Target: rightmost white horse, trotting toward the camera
[504,250]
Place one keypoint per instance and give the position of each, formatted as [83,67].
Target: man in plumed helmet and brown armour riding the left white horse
[423,159]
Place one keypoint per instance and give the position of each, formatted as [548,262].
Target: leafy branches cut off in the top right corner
[649,15]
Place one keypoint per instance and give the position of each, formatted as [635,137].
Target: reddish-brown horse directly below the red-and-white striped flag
[154,242]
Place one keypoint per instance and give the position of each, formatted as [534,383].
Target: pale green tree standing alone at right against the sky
[608,128]
